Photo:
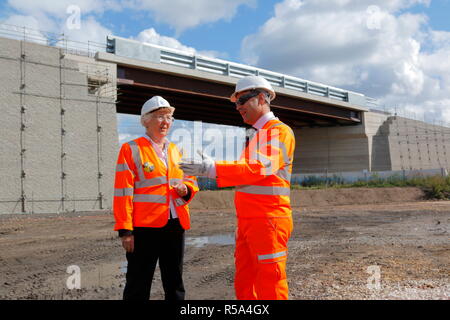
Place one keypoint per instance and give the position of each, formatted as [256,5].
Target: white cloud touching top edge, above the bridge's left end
[184,14]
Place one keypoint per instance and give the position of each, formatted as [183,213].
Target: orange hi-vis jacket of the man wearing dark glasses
[263,173]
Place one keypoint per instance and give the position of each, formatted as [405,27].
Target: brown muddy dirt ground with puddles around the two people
[382,250]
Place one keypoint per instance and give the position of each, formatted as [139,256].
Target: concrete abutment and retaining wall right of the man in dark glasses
[381,143]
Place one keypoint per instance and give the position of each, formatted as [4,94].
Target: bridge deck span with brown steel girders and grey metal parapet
[200,87]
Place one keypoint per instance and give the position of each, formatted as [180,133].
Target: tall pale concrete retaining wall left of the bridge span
[58,143]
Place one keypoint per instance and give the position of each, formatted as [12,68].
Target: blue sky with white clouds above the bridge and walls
[397,51]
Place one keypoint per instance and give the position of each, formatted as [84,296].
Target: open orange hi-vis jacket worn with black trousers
[143,184]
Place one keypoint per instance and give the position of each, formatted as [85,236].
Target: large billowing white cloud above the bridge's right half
[366,46]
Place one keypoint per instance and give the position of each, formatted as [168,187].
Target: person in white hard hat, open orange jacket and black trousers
[151,197]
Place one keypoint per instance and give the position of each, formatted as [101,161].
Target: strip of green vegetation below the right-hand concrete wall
[435,187]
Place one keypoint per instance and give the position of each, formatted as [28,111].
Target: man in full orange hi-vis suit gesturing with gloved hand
[262,199]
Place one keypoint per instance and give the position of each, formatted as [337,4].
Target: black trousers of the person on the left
[151,244]
